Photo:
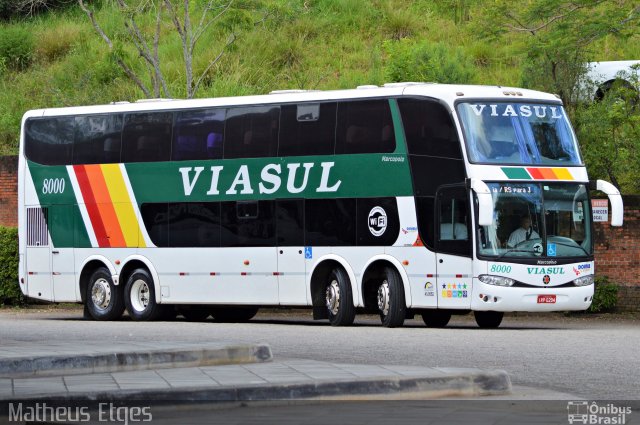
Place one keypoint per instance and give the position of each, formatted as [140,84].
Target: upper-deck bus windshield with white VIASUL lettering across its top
[518,133]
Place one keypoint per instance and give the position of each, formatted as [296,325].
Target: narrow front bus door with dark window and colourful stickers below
[453,247]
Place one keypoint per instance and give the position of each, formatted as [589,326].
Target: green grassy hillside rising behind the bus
[315,44]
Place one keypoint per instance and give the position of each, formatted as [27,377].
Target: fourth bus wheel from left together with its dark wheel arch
[384,292]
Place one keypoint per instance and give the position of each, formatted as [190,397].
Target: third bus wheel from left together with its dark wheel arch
[332,292]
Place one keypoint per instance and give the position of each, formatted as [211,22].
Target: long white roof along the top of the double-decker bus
[446,92]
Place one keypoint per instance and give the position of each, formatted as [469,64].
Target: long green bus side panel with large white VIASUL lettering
[363,175]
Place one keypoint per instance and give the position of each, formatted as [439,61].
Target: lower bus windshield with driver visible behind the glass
[535,220]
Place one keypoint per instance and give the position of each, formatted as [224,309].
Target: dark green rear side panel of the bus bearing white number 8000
[65,222]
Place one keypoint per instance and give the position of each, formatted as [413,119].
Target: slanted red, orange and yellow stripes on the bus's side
[110,209]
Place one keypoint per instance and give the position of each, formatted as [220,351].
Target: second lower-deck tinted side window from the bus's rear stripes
[195,224]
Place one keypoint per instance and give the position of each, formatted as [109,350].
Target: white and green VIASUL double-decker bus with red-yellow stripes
[399,200]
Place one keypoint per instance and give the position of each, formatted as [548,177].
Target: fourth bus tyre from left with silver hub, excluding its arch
[391,303]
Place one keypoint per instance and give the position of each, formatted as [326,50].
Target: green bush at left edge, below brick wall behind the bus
[10,293]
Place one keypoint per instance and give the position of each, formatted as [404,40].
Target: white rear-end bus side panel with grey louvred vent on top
[38,254]
